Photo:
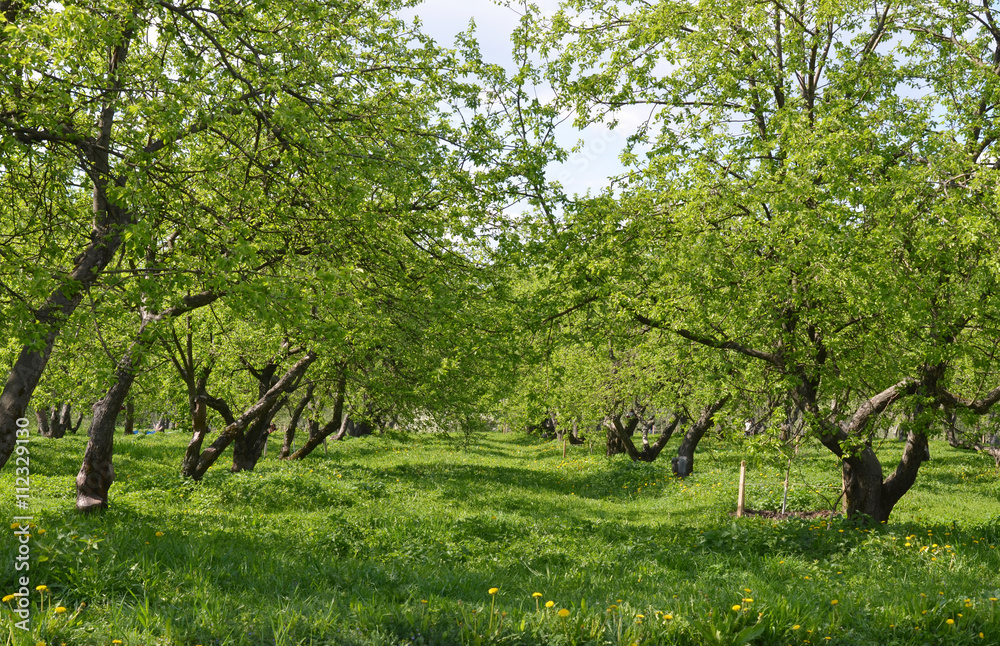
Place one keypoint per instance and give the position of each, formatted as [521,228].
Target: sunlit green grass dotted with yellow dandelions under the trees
[399,539]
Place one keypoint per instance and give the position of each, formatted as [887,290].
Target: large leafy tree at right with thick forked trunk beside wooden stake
[794,204]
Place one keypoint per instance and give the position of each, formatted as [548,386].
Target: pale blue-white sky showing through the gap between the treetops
[587,169]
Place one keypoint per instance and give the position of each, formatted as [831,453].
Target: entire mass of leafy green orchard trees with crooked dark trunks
[297,207]
